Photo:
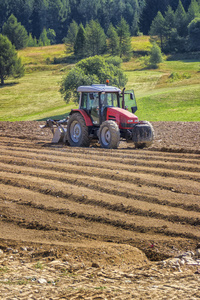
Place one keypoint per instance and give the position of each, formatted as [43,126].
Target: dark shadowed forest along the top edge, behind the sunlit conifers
[57,15]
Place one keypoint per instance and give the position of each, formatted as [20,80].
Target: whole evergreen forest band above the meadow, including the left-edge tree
[45,22]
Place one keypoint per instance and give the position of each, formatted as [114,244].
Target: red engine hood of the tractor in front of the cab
[124,118]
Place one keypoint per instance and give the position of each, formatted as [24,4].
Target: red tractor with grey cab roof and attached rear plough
[102,115]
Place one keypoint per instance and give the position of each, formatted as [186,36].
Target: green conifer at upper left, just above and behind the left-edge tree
[16,33]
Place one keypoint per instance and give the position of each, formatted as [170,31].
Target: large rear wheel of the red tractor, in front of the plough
[77,131]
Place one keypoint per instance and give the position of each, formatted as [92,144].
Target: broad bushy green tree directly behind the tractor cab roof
[89,71]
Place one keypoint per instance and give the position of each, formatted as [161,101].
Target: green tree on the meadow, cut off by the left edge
[10,64]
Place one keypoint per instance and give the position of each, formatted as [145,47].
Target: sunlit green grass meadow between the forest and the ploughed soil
[169,93]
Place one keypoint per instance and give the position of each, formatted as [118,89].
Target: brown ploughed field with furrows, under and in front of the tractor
[96,205]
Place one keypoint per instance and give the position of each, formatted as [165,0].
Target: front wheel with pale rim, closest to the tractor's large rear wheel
[109,135]
